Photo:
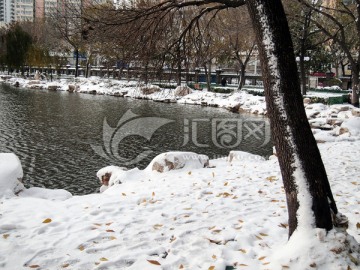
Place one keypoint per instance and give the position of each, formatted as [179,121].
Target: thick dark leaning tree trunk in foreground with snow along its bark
[305,181]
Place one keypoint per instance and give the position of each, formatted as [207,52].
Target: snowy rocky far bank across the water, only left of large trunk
[132,89]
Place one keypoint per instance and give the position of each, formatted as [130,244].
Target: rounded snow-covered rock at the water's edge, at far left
[11,174]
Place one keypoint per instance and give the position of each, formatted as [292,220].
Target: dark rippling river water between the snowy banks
[63,139]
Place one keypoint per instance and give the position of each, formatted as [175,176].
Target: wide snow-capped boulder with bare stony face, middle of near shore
[178,160]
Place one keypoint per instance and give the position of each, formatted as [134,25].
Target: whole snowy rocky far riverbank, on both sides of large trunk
[329,123]
